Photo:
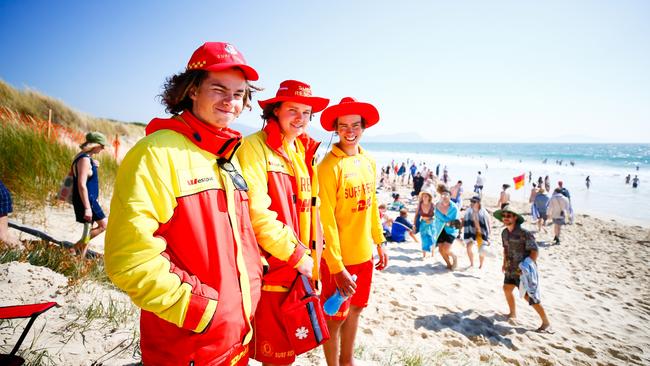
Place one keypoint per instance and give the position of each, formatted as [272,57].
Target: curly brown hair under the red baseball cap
[175,96]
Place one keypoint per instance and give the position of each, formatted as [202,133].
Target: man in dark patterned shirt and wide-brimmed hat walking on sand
[518,245]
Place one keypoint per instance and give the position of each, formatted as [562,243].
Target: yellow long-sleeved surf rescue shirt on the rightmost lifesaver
[349,211]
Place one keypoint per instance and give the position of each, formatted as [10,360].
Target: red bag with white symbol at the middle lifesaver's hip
[303,317]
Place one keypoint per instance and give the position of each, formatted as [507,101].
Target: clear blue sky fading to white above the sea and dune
[457,71]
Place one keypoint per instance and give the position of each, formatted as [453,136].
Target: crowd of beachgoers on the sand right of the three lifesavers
[440,220]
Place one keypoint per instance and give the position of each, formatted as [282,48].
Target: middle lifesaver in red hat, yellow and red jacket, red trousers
[278,163]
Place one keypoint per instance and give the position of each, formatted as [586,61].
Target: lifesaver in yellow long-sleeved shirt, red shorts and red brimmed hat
[351,223]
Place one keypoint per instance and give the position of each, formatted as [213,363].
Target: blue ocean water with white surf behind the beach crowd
[606,165]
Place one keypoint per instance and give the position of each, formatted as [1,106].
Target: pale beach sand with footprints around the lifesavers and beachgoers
[593,286]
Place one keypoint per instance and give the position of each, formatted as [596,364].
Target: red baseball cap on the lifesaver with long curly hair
[217,56]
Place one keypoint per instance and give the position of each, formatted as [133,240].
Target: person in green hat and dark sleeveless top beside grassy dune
[85,190]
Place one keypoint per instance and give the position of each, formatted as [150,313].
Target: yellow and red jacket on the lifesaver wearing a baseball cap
[171,246]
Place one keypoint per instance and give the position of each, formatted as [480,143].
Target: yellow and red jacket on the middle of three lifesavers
[283,202]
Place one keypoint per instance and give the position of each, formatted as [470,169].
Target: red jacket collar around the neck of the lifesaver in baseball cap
[221,142]
